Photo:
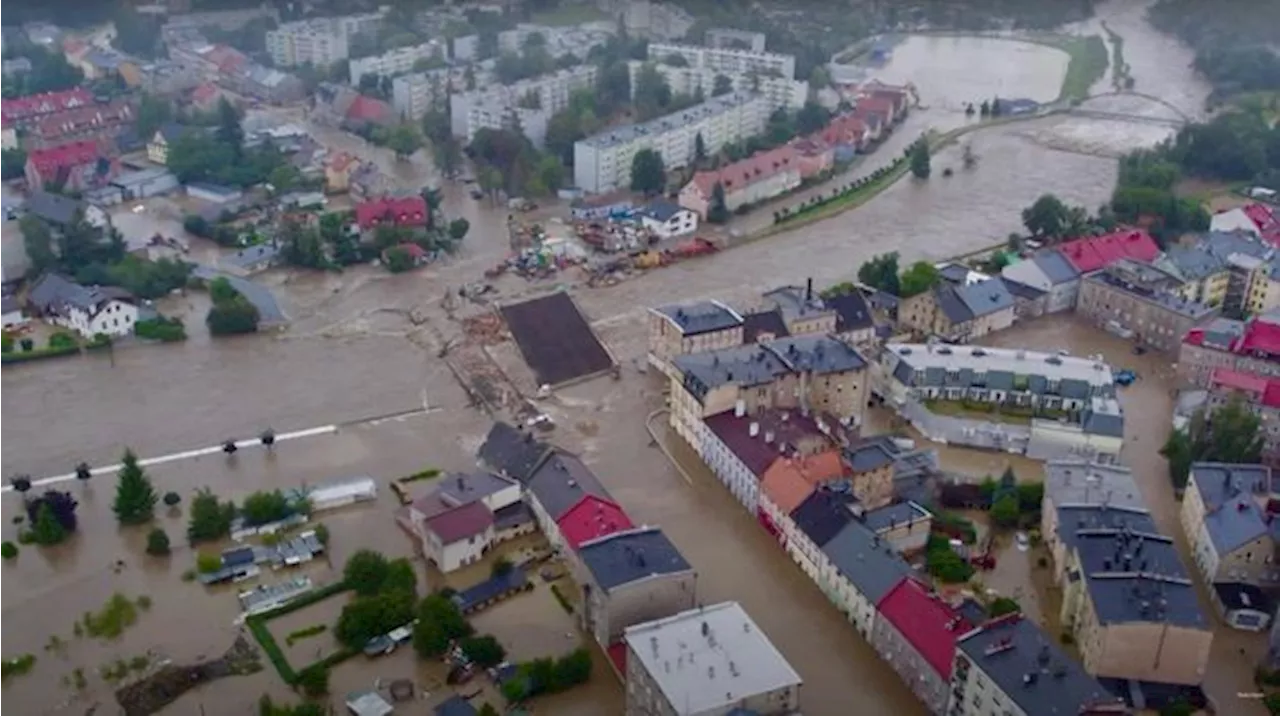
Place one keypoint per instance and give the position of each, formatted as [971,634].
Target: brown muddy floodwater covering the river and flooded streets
[353,355]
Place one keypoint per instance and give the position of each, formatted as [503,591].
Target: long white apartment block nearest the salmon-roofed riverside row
[604,163]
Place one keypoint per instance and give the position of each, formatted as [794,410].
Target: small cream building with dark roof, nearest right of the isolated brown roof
[692,329]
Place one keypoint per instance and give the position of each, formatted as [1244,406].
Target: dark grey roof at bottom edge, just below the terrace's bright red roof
[1031,671]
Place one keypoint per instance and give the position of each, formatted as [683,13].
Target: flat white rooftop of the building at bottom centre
[710,658]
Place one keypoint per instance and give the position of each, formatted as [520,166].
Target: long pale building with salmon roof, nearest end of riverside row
[755,180]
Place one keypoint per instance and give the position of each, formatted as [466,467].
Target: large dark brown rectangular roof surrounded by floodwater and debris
[557,343]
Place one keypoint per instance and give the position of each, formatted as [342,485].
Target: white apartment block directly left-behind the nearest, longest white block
[499,107]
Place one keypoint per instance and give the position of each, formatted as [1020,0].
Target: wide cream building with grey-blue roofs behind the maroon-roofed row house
[806,373]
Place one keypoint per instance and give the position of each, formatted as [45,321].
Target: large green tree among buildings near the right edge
[1228,435]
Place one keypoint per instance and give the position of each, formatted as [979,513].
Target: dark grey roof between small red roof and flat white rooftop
[632,555]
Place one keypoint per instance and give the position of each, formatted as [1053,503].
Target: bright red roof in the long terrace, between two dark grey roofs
[929,624]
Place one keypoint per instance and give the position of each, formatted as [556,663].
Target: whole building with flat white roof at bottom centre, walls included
[708,662]
